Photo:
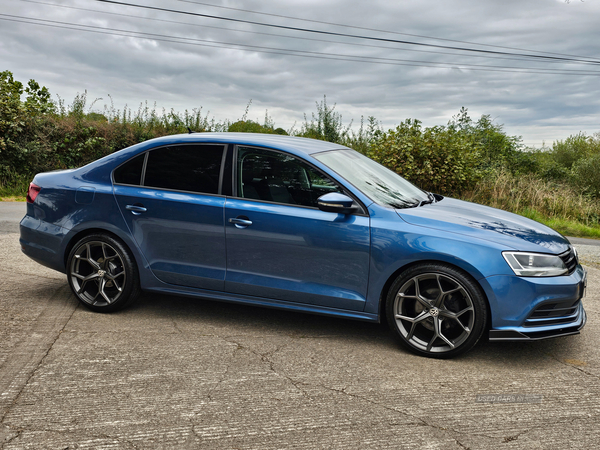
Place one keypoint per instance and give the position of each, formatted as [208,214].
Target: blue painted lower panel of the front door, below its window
[297,254]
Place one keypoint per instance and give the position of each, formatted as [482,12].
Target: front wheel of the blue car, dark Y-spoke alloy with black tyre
[436,310]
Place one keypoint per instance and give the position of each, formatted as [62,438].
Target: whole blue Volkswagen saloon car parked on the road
[303,225]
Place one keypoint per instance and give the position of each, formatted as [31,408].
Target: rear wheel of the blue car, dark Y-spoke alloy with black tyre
[102,273]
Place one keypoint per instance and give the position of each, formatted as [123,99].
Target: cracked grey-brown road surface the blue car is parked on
[178,373]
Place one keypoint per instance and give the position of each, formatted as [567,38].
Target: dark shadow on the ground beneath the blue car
[259,321]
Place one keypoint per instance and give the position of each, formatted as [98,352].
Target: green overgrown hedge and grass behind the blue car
[471,159]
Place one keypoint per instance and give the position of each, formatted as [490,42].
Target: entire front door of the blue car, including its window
[281,246]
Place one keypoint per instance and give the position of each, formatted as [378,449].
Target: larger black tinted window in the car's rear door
[194,168]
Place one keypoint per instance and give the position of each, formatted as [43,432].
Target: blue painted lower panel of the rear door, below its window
[181,235]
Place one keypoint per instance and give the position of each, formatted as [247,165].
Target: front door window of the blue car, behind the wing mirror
[277,177]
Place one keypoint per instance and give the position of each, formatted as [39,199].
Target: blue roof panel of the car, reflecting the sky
[292,144]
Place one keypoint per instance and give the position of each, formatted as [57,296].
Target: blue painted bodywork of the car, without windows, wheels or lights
[288,256]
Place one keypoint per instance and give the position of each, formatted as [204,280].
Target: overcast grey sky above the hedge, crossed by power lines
[190,61]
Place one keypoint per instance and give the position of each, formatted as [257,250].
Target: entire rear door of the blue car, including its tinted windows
[170,199]
